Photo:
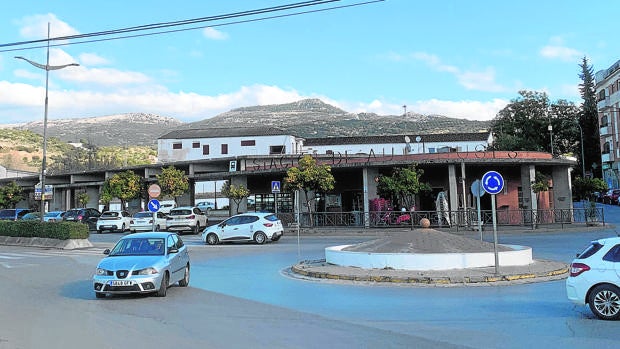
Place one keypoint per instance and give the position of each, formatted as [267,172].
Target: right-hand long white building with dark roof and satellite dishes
[400,144]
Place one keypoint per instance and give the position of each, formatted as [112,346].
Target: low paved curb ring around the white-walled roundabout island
[538,271]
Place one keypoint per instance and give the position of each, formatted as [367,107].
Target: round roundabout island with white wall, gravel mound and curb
[429,257]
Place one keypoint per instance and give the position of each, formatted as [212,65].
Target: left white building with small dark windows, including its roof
[213,143]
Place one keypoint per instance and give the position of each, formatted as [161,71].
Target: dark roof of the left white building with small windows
[218,132]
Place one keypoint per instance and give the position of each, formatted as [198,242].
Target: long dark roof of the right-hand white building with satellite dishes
[439,137]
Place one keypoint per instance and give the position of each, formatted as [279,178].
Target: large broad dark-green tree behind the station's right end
[523,125]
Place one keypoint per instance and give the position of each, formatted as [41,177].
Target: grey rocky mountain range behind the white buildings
[309,118]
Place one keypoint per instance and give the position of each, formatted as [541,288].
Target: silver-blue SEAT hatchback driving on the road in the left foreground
[143,263]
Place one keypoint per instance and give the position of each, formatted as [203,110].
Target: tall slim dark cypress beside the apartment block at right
[588,119]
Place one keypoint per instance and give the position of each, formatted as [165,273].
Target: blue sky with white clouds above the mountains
[461,59]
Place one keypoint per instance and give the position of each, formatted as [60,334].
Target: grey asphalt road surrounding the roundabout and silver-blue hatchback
[240,296]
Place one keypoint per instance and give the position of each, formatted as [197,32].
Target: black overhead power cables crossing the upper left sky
[183,23]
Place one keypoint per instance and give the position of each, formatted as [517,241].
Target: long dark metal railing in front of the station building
[460,219]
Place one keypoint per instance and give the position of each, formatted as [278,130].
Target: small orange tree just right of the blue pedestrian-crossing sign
[308,177]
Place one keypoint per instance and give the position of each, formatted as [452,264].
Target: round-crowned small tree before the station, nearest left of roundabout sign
[403,184]
